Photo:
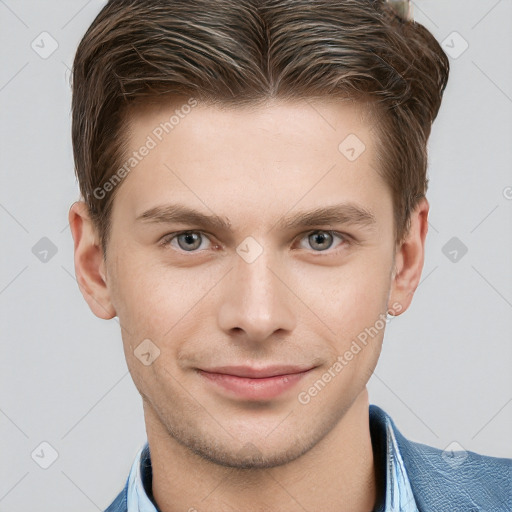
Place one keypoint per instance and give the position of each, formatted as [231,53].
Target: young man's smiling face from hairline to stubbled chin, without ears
[250,265]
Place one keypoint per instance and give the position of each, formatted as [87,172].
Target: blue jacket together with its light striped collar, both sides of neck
[417,477]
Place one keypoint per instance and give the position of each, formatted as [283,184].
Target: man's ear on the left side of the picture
[89,263]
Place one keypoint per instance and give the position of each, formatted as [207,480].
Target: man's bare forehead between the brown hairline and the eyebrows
[271,156]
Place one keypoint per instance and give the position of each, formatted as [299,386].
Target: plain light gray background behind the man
[445,372]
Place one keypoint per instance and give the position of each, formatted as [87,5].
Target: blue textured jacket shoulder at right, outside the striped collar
[459,481]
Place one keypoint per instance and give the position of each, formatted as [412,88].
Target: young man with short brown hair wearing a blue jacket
[253,177]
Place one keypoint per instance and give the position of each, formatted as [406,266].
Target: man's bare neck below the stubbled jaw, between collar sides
[337,475]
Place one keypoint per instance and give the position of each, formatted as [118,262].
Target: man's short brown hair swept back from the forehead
[241,52]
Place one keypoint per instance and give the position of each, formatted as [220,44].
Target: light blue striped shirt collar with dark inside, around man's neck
[398,495]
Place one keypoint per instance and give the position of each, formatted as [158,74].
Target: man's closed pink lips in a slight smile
[250,383]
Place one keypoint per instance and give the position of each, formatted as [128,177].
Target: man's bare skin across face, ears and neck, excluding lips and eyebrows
[301,301]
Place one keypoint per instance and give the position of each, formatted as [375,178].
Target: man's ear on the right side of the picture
[409,258]
